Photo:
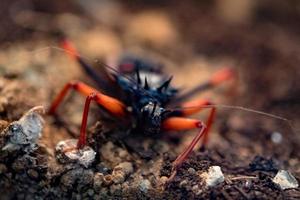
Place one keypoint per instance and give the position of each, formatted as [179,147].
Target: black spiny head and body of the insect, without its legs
[147,99]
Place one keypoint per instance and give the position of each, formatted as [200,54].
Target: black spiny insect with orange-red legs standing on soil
[143,94]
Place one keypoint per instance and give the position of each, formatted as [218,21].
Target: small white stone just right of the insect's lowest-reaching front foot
[214,176]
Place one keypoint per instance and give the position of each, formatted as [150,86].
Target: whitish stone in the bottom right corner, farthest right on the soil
[285,180]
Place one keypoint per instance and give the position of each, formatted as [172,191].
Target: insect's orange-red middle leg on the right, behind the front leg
[195,106]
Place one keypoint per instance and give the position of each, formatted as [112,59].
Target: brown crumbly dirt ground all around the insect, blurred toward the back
[192,40]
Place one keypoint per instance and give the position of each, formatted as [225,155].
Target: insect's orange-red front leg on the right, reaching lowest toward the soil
[180,123]
